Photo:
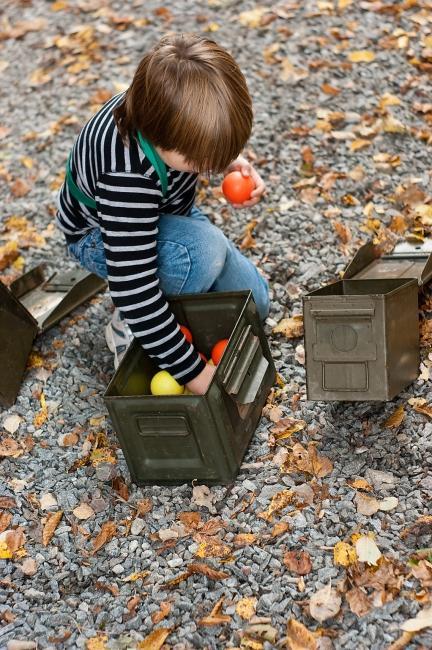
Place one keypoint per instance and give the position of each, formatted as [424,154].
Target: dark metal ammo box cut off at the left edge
[30,306]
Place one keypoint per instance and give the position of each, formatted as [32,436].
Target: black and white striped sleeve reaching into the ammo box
[128,208]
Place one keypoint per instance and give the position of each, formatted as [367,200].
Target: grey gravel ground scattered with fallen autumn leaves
[313,106]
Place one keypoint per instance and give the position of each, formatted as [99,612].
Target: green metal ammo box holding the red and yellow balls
[173,439]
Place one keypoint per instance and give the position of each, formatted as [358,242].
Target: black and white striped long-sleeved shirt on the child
[129,200]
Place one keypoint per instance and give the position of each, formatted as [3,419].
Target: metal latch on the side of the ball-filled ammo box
[246,368]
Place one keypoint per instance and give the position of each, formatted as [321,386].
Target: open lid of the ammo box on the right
[405,261]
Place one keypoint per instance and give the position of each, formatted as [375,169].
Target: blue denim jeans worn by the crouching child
[194,256]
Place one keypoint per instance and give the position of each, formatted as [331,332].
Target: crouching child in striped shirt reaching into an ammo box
[127,204]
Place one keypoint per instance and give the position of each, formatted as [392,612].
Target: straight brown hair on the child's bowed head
[189,95]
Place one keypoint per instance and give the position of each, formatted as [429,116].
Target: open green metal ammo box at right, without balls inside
[362,332]
